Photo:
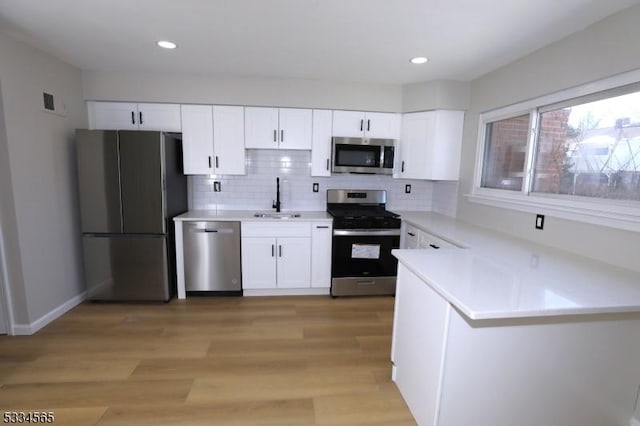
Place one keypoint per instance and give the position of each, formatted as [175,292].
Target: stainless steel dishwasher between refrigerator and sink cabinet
[212,257]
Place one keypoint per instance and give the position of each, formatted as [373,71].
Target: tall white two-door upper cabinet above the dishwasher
[213,139]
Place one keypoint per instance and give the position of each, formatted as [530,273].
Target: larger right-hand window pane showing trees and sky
[590,149]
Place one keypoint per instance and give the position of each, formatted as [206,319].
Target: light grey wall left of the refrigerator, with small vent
[39,214]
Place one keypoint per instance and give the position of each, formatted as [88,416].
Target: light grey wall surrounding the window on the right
[606,48]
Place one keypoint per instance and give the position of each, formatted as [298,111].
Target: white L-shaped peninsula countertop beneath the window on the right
[497,276]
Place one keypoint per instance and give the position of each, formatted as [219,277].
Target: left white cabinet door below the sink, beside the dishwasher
[258,263]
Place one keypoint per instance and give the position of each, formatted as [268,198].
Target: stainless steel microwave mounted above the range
[362,155]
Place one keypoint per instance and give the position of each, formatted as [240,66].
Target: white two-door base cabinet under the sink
[276,256]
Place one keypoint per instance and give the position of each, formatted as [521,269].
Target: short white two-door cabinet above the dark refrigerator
[133,116]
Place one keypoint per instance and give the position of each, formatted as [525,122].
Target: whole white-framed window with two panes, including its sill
[573,153]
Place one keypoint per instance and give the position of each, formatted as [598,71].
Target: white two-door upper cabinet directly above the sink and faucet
[278,128]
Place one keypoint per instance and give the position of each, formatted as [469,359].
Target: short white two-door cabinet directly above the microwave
[357,124]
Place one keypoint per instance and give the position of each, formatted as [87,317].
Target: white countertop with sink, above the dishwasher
[248,215]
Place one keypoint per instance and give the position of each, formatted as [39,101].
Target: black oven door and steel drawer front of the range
[362,263]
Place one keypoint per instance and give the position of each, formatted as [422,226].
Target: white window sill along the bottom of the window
[620,216]
